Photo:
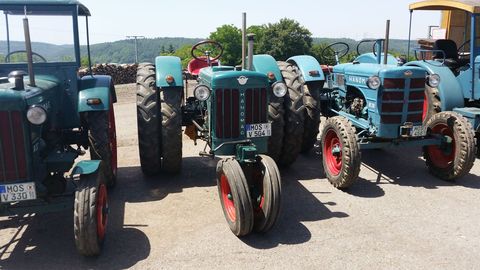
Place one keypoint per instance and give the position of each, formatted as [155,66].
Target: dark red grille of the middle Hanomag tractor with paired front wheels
[228,110]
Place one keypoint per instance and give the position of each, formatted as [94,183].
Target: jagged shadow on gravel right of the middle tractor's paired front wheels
[299,205]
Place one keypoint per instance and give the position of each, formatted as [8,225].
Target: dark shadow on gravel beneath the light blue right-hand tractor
[406,167]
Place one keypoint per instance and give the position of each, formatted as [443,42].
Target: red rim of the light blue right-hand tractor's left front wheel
[333,160]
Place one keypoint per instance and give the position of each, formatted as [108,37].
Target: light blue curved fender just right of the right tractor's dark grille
[450,90]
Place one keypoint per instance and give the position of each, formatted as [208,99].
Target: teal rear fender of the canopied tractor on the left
[96,86]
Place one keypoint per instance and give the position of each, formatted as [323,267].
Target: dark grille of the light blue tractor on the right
[400,104]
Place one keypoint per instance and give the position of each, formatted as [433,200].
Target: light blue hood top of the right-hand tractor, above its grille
[390,71]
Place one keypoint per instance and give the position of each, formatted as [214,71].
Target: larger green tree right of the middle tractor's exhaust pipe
[285,39]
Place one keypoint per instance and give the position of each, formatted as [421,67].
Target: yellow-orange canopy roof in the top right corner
[471,6]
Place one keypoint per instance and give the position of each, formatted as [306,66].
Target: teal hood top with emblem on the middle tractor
[223,77]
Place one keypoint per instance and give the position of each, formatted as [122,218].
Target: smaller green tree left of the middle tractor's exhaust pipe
[230,37]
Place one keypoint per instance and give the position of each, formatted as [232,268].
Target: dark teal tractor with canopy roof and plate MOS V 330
[49,117]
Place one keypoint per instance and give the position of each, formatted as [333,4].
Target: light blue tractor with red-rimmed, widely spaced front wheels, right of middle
[374,102]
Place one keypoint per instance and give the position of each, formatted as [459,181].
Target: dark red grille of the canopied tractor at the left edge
[13,160]
